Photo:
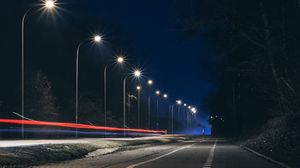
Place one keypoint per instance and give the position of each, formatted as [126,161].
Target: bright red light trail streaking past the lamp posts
[78,126]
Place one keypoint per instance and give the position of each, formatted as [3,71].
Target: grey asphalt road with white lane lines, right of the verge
[188,154]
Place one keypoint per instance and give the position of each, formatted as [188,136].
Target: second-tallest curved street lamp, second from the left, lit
[97,39]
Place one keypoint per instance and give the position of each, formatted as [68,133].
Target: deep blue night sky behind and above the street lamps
[146,32]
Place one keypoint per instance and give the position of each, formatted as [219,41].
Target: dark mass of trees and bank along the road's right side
[258,70]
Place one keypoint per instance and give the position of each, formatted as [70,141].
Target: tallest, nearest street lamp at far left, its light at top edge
[50,5]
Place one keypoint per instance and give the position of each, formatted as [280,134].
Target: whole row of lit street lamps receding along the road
[49,6]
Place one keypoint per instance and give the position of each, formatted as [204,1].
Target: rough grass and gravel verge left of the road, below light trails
[31,155]
